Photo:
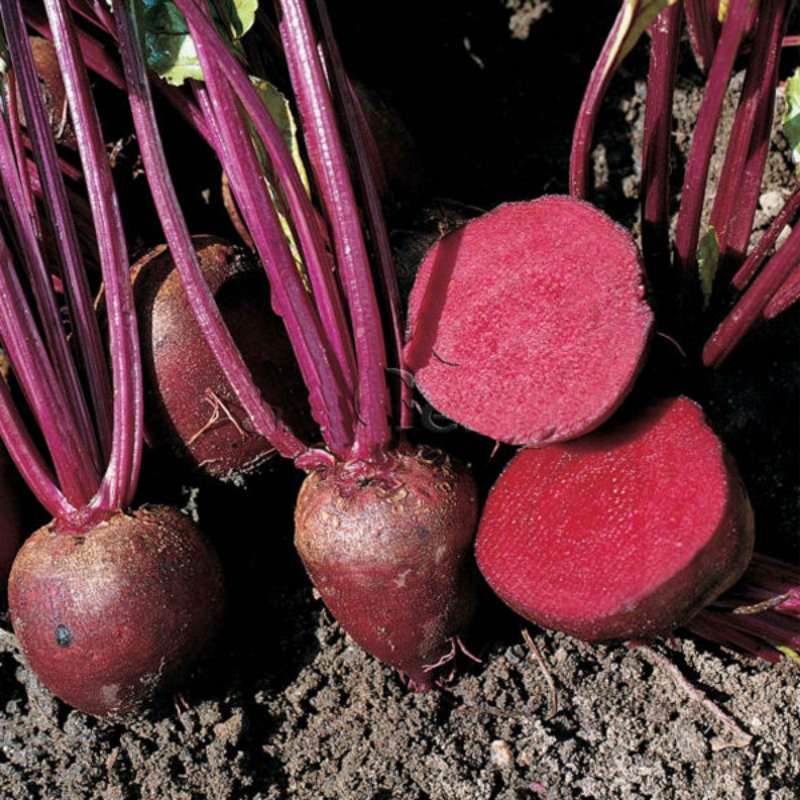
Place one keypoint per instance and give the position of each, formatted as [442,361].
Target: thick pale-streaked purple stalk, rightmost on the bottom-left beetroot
[119,482]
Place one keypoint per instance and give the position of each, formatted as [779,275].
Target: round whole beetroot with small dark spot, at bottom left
[109,618]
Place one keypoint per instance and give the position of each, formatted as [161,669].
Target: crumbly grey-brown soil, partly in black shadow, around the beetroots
[284,705]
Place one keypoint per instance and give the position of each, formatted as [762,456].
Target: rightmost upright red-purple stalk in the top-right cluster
[748,146]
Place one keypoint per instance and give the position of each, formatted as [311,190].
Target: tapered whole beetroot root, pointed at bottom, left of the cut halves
[389,548]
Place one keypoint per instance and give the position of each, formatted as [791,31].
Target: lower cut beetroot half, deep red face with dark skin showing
[624,534]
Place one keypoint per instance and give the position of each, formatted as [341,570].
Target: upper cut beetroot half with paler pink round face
[529,324]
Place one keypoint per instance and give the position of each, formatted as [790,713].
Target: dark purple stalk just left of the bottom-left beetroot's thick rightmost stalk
[65,235]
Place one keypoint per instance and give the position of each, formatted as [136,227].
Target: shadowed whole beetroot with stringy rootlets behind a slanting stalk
[190,406]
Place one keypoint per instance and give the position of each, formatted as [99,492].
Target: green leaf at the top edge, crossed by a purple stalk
[168,48]
